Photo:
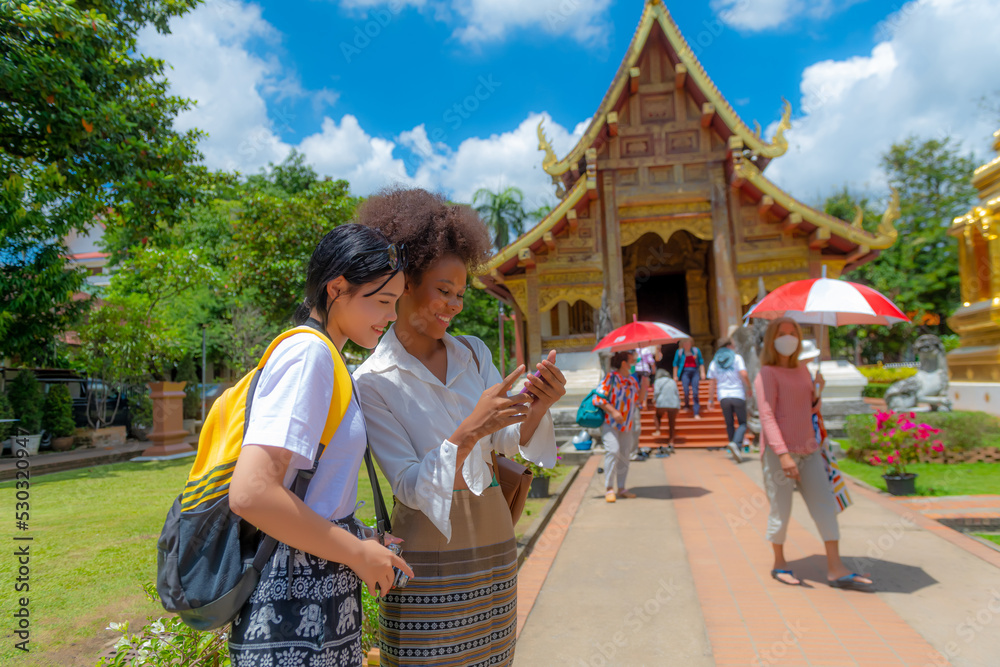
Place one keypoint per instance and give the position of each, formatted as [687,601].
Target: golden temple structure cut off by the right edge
[974,368]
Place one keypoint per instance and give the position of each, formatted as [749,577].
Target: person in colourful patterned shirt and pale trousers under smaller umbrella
[619,396]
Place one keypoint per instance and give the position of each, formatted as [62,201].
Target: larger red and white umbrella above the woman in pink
[829,302]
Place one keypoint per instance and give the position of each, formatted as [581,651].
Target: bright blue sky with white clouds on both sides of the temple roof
[366,88]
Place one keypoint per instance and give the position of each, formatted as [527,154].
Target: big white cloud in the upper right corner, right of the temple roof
[939,58]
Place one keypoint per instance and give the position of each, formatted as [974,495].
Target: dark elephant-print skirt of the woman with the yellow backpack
[305,612]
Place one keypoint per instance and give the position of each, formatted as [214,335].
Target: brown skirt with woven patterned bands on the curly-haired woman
[460,607]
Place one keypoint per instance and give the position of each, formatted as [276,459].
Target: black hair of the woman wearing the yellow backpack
[351,251]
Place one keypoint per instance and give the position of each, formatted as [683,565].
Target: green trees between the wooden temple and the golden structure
[919,272]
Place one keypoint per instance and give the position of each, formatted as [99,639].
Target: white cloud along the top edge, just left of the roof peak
[479,21]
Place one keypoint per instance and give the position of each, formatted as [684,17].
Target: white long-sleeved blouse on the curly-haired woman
[410,416]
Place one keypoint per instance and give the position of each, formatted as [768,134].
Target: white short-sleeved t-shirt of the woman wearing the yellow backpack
[289,411]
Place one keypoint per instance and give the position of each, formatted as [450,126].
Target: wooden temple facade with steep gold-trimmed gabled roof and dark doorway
[665,212]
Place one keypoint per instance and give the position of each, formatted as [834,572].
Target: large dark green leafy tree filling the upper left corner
[86,132]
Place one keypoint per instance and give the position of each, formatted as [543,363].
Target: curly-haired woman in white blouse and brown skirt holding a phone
[437,408]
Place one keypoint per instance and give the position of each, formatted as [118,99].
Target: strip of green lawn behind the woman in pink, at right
[936,479]
